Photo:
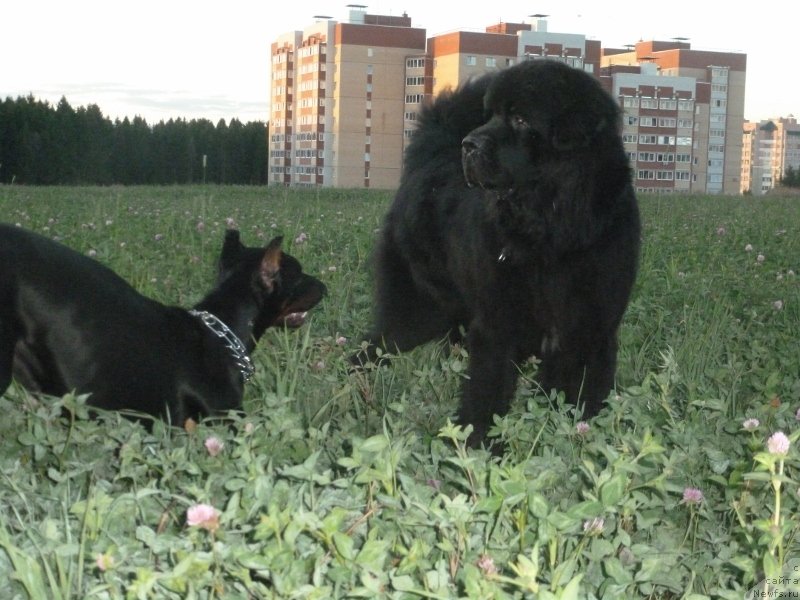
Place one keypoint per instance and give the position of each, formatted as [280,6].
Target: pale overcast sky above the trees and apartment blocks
[198,58]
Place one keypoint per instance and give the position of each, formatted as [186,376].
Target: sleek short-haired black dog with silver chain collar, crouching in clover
[68,323]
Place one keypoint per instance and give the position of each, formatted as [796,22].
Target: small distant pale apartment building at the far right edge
[769,147]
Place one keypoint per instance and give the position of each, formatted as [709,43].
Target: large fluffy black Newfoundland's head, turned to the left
[540,113]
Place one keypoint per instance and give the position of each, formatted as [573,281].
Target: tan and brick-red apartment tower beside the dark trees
[337,101]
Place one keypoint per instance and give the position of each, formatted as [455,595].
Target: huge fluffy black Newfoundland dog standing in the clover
[515,221]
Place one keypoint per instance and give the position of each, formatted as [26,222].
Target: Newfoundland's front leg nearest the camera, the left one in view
[491,384]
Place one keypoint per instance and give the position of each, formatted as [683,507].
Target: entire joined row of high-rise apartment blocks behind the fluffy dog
[683,108]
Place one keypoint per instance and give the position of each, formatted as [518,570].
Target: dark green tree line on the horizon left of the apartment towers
[45,144]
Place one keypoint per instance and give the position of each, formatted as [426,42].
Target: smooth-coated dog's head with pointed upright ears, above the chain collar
[273,281]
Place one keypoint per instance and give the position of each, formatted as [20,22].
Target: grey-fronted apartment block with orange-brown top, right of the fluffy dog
[683,110]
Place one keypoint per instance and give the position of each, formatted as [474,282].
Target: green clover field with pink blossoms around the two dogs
[334,485]
